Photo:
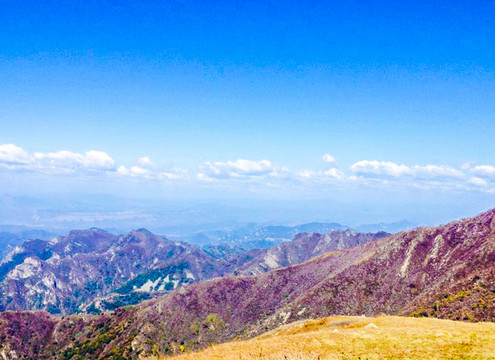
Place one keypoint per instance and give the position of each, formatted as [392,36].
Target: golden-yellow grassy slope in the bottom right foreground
[355,337]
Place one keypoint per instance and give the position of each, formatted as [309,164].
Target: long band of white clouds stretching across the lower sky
[365,174]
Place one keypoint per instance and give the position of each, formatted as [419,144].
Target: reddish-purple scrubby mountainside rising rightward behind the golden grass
[445,272]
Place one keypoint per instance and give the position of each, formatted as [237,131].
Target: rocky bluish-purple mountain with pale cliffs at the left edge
[67,273]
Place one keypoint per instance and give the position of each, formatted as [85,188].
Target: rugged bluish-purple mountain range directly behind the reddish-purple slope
[94,270]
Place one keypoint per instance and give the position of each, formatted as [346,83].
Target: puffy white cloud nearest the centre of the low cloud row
[235,169]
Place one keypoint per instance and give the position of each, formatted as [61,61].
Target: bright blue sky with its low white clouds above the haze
[243,99]
